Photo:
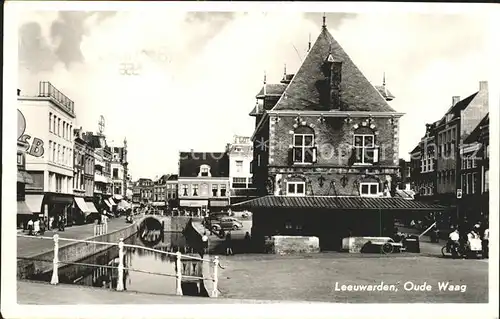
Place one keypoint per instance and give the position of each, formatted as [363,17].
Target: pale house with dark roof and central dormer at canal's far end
[203,182]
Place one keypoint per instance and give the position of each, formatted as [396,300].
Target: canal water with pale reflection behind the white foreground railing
[148,272]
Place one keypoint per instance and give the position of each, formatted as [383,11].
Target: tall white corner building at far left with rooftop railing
[50,146]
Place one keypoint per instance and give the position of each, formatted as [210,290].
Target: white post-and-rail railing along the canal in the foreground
[121,267]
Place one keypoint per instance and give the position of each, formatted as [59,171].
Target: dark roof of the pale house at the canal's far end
[190,162]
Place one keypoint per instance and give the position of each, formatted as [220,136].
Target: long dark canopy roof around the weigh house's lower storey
[338,203]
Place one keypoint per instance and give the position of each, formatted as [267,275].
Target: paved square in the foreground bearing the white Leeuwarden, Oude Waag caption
[319,277]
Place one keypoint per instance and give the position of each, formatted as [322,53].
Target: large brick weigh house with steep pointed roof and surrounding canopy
[326,153]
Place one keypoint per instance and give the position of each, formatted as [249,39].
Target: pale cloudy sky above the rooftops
[197,73]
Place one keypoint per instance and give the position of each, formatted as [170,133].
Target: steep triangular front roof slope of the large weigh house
[304,91]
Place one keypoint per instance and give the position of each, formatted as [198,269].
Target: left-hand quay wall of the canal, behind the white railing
[72,252]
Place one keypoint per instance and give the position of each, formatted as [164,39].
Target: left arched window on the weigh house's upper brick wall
[304,150]
